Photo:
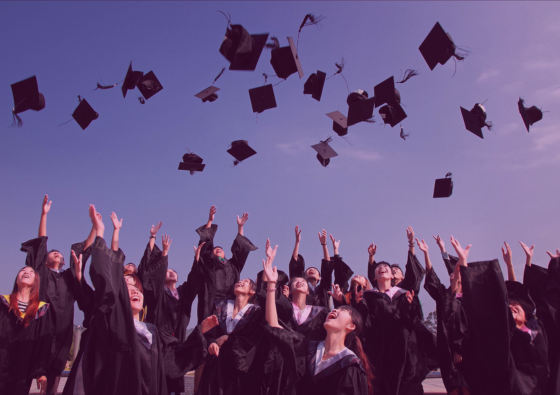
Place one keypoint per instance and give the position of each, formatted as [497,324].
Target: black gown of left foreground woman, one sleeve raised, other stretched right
[117,359]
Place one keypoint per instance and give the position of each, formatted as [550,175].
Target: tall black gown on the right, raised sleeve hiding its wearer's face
[491,325]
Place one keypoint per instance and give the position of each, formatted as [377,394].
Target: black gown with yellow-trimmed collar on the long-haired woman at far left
[24,351]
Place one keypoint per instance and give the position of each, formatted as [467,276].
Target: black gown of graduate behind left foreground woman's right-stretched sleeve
[167,313]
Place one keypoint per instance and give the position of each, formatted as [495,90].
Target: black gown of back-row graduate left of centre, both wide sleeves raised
[218,278]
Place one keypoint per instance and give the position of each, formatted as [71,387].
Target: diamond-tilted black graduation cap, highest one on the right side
[438,47]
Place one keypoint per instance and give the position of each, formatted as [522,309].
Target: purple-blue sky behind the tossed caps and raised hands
[506,185]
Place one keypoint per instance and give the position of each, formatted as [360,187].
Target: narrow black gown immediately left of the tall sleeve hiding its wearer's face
[452,332]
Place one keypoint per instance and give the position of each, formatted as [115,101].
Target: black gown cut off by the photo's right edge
[544,288]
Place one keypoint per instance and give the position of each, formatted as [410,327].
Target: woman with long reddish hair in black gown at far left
[25,336]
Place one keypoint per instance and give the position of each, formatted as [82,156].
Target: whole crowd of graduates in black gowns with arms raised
[305,331]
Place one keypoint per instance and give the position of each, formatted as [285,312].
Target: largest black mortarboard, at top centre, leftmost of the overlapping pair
[242,49]
